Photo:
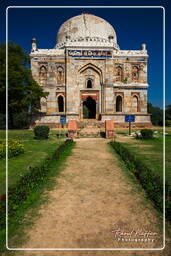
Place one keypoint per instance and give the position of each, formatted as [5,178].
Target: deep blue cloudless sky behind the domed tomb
[133,27]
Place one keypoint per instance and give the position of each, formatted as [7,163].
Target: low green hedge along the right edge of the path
[152,182]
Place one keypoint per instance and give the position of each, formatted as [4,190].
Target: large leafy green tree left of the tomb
[24,93]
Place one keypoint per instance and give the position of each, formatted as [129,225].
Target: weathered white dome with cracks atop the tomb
[86,29]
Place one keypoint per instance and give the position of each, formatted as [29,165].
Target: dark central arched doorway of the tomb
[89,108]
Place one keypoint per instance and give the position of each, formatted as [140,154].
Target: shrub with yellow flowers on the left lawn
[15,147]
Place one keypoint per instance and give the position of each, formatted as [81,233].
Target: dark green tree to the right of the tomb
[156,114]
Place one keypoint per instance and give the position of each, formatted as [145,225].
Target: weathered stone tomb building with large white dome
[87,76]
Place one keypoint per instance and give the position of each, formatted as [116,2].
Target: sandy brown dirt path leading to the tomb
[92,198]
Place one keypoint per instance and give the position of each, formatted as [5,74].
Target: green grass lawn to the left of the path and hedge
[35,151]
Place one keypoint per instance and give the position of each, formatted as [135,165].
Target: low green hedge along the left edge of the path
[35,178]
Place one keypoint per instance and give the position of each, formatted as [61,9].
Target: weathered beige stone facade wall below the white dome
[122,75]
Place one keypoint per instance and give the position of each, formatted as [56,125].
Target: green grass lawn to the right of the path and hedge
[151,152]
